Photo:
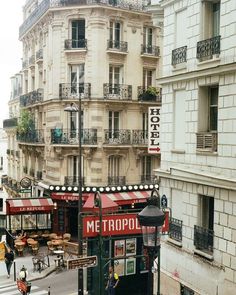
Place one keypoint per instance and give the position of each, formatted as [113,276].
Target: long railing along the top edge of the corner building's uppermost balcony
[42,8]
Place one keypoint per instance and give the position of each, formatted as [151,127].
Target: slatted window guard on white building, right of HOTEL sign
[207,141]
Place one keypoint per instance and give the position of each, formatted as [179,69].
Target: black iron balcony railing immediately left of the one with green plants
[117,91]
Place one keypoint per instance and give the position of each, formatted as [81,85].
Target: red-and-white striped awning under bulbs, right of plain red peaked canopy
[124,198]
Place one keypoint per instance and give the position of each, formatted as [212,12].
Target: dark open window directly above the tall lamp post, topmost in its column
[77,33]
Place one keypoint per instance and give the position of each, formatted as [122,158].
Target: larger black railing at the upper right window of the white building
[209,47]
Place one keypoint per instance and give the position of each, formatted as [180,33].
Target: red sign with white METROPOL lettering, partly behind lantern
[113,225]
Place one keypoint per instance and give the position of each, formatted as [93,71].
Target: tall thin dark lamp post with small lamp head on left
[77,108]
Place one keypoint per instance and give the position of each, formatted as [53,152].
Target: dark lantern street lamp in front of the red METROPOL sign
[151,219]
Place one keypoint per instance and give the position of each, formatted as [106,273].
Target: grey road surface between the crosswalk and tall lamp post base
[63,283]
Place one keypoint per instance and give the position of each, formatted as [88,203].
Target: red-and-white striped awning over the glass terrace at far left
[23,205]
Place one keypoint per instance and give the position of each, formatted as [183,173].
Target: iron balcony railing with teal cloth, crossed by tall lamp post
[68,136]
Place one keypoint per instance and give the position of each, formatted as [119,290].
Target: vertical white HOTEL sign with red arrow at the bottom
[154,130]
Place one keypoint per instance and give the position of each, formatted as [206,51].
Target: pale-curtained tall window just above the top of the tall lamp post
[77,78]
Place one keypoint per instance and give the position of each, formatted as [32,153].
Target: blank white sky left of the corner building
[11,17]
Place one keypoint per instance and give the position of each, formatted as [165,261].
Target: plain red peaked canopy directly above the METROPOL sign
[107,204]
